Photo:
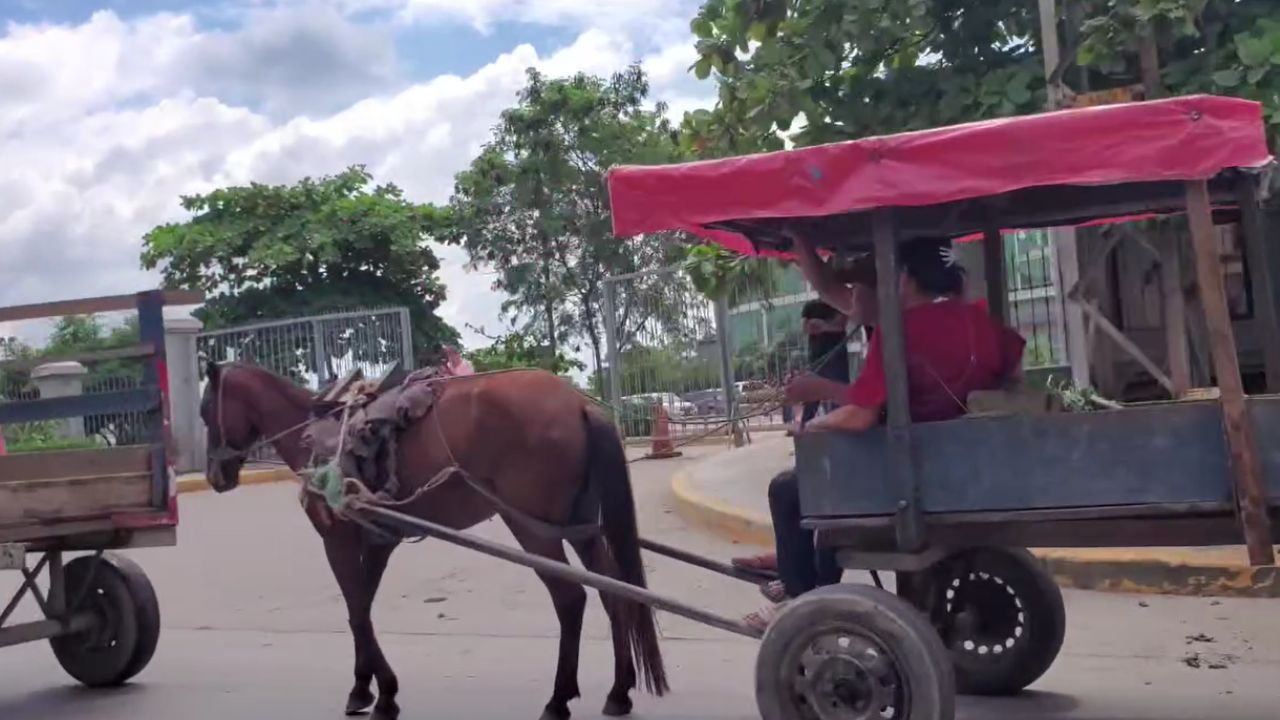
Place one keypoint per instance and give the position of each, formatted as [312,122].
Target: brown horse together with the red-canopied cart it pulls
[947,507]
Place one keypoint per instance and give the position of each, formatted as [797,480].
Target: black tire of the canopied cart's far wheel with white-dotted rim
[1043,619]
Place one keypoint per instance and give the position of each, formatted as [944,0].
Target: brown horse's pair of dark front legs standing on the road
[359,571]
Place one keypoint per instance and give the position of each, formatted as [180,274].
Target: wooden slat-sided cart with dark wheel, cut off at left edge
[98,609]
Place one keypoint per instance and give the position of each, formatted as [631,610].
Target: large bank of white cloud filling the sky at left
[104,125]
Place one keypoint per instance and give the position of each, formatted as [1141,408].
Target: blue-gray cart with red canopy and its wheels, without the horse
[950,507]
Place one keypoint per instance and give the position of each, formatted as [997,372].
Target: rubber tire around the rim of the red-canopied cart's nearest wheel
[917,655]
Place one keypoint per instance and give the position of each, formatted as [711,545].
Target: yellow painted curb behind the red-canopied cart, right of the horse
[1121,571]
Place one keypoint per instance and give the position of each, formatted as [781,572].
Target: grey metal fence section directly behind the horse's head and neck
[316,350]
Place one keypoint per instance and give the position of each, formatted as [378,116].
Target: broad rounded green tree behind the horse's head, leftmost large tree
[323,245]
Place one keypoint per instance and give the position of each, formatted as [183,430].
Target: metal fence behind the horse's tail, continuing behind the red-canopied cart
[669,340]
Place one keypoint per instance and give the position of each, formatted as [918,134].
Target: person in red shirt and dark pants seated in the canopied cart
[953,349]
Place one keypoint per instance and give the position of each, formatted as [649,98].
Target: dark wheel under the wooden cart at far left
[125,639]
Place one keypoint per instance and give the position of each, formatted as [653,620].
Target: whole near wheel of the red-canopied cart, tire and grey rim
[853,653]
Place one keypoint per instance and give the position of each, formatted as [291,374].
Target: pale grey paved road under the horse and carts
[255,628]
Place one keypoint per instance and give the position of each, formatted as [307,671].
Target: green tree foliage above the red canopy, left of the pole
[856,69]
